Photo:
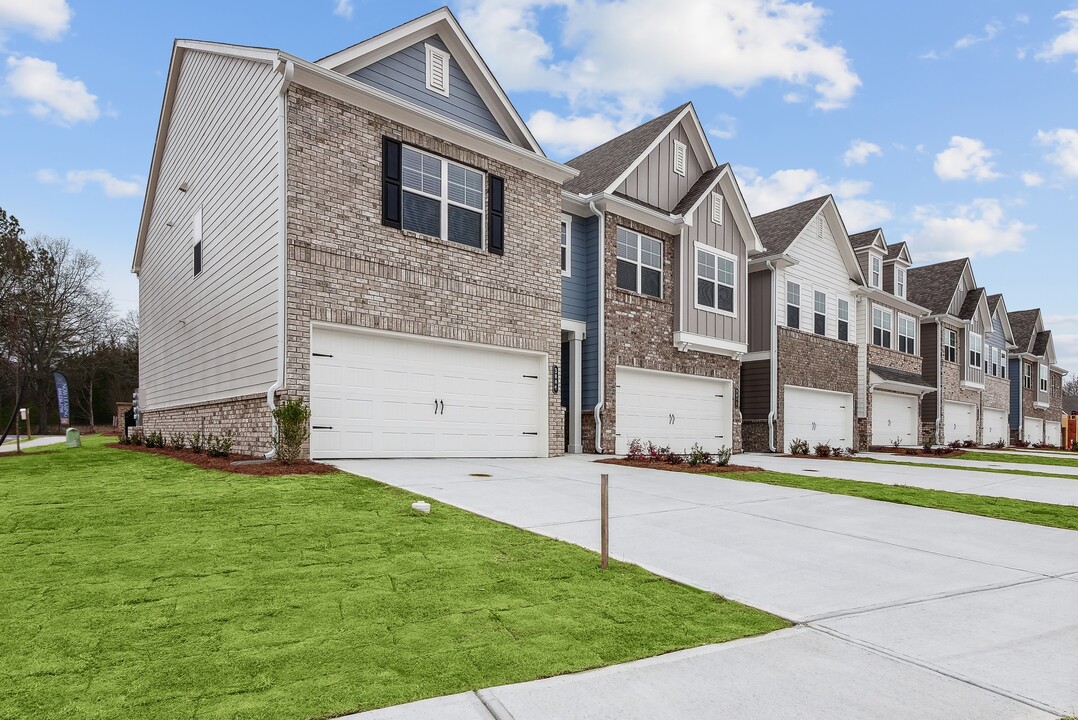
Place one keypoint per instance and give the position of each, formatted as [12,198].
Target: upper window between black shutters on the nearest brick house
[443,199]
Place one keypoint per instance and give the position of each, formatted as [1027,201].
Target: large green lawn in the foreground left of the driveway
[137,587]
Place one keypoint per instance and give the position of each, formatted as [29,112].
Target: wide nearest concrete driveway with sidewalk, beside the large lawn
[905,612]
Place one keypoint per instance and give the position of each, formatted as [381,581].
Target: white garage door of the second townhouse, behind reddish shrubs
[671,409]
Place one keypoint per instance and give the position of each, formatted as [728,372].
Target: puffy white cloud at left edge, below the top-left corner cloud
[51,95]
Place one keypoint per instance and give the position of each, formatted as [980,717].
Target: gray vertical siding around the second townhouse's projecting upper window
[728,239]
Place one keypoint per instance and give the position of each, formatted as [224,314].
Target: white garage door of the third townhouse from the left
[818,417]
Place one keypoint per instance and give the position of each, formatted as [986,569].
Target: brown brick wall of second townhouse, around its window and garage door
[640,334]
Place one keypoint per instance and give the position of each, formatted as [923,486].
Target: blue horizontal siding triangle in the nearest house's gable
[405,75]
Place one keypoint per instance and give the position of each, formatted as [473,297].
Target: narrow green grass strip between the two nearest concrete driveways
[1022,511]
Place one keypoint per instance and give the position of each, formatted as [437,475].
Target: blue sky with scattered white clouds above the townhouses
[953,126]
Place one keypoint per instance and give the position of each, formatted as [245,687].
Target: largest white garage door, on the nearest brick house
[391,395]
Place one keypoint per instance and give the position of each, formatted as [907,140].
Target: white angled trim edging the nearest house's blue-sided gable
[472,66]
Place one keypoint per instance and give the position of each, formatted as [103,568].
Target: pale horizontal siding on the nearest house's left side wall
[214,337]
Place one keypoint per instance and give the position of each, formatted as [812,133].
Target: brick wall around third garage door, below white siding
[813,362]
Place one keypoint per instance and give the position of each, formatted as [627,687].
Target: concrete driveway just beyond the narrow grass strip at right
[1057,491]
